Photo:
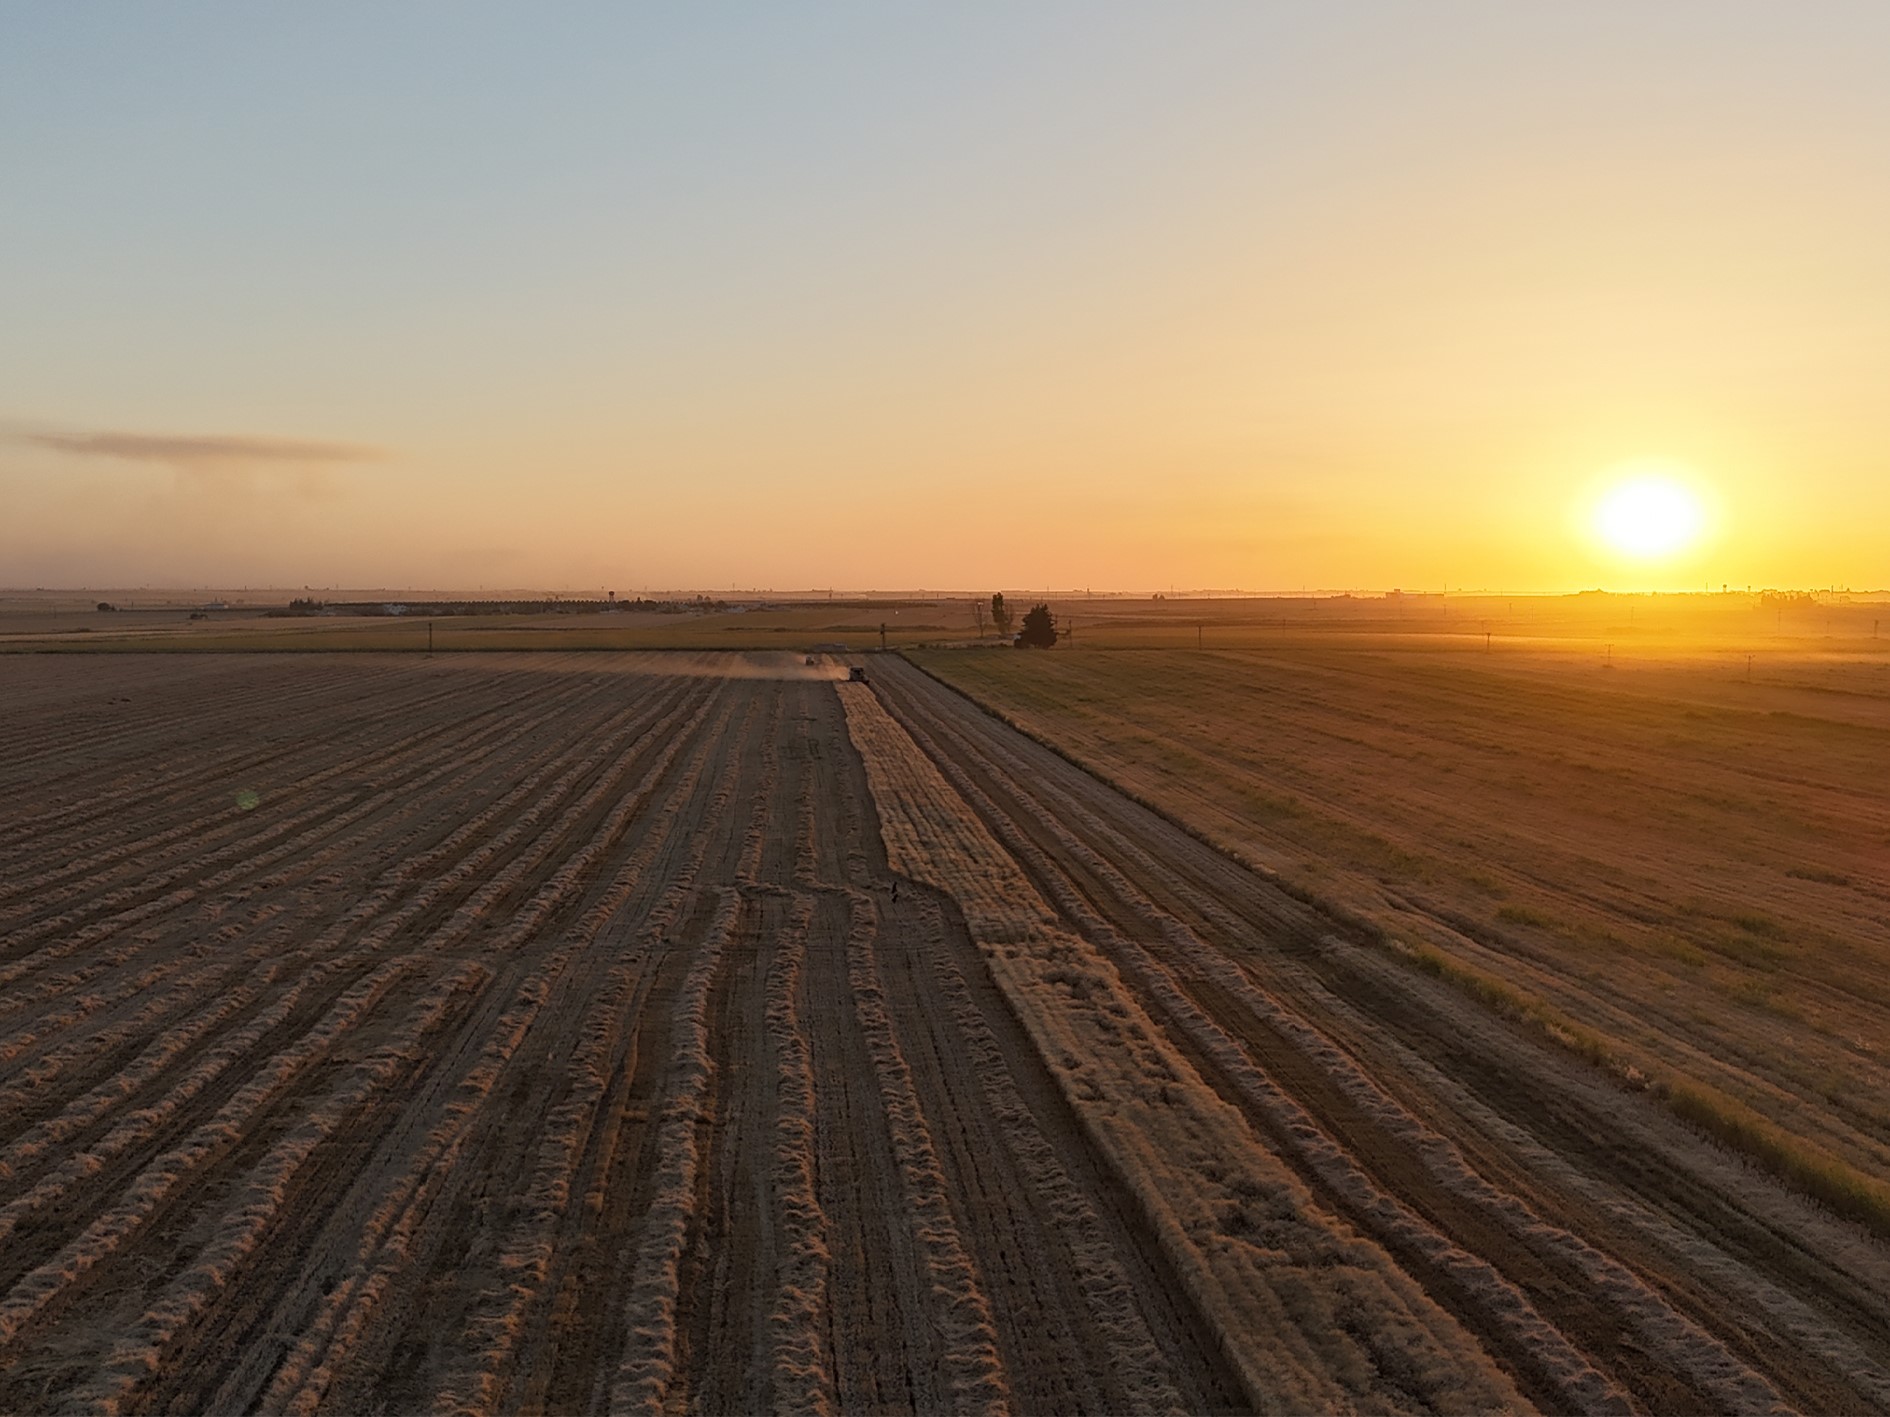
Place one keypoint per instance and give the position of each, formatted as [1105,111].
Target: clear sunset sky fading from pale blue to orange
[1069,296]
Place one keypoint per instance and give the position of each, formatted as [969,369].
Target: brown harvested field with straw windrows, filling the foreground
[632,1033]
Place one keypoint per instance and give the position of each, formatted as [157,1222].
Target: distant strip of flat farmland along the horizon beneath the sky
[1613,626]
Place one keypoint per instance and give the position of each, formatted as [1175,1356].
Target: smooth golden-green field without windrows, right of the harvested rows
[1670,866]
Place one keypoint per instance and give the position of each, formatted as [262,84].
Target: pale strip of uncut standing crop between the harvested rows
[1309,1314]
